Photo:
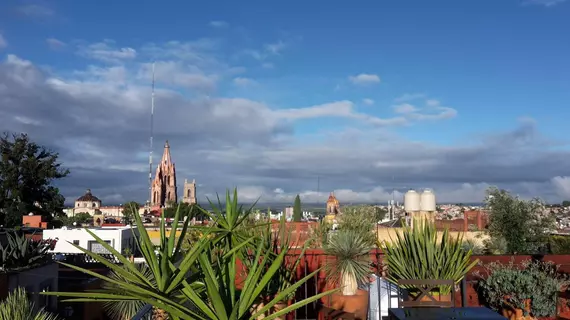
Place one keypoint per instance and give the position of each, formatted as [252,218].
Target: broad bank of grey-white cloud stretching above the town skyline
[229,141]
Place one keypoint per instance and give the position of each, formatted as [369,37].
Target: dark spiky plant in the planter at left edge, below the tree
[23,253]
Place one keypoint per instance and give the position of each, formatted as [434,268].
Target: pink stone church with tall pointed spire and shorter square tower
[164,189]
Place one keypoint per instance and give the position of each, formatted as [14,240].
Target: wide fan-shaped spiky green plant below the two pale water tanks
[417,253]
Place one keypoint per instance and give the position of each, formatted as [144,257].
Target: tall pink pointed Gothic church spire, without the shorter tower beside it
[164,184]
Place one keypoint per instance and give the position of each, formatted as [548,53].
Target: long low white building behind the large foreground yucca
[120,238]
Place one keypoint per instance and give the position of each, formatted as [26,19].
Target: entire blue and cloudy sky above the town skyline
[363,98]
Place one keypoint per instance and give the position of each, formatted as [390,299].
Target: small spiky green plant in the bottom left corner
[17,307]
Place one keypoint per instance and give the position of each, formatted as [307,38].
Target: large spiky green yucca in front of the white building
[166,290]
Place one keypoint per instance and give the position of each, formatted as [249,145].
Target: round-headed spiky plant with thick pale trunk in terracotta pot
[349,269]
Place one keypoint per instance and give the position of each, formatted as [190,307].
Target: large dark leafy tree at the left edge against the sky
[27,171]
